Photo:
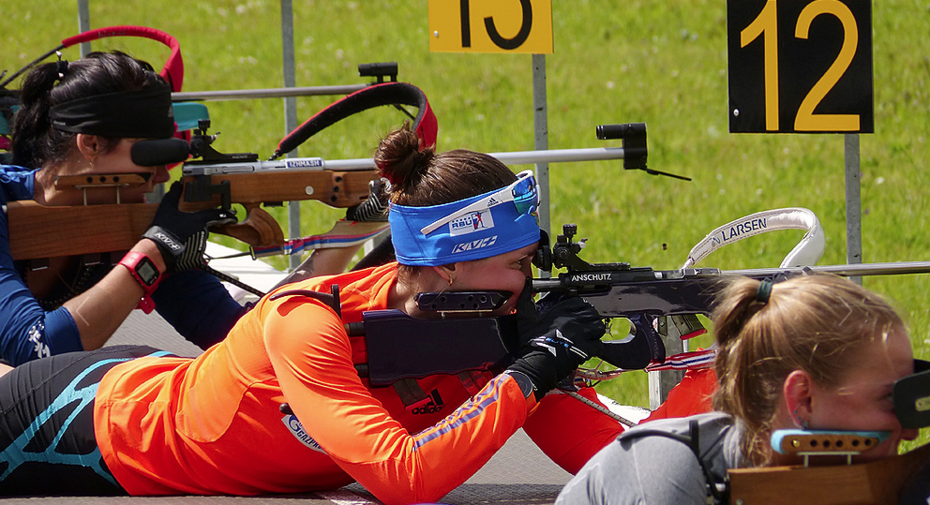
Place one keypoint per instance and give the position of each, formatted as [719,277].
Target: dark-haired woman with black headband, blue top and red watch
[89,117]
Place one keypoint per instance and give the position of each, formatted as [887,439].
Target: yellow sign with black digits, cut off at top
[490,26]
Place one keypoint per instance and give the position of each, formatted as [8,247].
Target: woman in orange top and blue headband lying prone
[280,405]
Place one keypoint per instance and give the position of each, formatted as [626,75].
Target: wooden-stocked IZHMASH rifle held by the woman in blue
[240,178]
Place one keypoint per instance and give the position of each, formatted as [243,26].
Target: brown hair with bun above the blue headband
[420,178]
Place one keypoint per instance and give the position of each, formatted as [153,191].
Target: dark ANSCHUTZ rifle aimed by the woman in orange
[656,302]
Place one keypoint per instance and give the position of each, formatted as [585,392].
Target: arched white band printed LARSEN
[806,253]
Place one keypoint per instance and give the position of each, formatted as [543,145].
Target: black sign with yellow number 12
[800,66]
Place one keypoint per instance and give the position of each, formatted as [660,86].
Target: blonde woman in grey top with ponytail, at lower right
[815,352]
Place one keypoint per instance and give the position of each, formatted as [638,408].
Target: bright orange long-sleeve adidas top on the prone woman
[213,424]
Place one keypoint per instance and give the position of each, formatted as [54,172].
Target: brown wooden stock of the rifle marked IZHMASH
[38,231]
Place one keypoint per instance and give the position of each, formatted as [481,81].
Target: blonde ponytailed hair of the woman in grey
[814,323]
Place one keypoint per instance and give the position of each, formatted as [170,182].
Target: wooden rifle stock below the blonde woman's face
[876,482]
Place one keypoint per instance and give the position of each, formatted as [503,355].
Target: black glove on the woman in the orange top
[554,343]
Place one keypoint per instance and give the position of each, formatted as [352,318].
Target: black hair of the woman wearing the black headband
[35,143]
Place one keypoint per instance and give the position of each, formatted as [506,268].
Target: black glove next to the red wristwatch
[172,229]
